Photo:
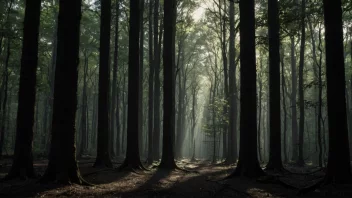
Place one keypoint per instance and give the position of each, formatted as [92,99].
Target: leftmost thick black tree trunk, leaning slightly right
[23,159]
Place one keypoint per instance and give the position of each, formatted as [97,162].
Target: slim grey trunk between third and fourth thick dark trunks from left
[114,102]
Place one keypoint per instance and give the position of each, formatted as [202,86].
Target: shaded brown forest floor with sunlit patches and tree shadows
[203,179]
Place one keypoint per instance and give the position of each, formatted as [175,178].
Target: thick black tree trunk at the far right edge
[338,168]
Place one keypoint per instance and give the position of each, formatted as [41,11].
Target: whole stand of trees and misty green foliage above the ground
[190,82]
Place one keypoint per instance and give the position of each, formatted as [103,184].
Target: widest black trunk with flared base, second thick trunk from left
[62,165]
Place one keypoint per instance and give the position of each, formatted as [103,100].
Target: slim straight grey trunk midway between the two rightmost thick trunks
[300,160]
